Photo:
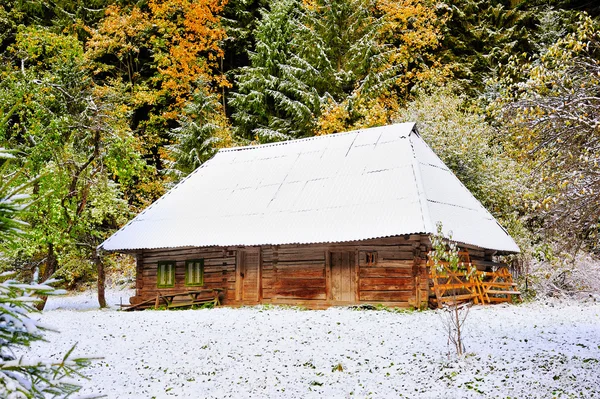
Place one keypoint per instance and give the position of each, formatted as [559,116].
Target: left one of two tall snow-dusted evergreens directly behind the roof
[271,102]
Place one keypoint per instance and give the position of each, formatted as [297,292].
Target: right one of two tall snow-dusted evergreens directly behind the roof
[346,57]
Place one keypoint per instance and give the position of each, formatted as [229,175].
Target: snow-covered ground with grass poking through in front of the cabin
[534,350]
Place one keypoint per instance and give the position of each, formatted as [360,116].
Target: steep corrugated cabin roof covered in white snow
[358,185]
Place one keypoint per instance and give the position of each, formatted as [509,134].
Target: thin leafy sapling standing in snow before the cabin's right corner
[445,254]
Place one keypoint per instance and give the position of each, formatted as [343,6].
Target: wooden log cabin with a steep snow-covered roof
[329,220]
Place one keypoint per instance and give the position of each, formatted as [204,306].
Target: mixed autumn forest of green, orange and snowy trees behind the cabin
[105,105]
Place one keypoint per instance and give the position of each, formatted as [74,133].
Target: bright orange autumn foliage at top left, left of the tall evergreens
[162,50]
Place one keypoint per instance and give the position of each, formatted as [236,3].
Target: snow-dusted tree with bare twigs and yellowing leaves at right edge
[555,114]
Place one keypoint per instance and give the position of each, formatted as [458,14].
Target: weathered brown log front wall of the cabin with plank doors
[390,271]
